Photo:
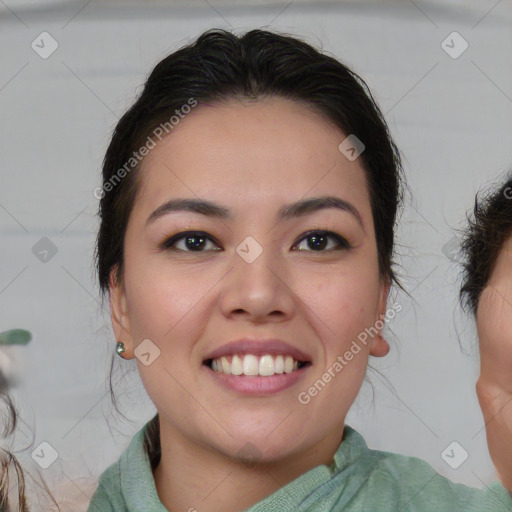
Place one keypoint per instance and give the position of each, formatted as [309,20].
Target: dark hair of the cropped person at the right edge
[489,227]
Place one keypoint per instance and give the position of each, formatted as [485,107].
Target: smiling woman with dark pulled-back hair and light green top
[247,216]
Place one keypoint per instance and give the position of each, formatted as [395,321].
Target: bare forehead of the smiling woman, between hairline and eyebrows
[263,152]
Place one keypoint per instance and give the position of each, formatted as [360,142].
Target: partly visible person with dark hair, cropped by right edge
[487,292]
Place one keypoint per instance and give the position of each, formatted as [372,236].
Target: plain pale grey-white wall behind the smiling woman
[452,119]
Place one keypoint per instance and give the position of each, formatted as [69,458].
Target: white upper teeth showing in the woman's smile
[250,364]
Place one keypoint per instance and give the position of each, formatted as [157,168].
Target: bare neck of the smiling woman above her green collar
[192,477]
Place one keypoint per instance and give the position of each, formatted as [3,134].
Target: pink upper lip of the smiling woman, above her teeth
[259,348]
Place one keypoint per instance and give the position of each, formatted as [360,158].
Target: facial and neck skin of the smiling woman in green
[253,158]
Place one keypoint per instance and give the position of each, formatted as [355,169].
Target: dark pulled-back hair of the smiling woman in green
[220,66]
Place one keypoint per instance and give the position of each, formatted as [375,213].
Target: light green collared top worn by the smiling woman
[358,479]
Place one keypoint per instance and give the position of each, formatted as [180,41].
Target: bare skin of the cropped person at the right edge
[494,385]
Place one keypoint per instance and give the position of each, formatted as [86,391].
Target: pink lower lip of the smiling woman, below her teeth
[257,385]
